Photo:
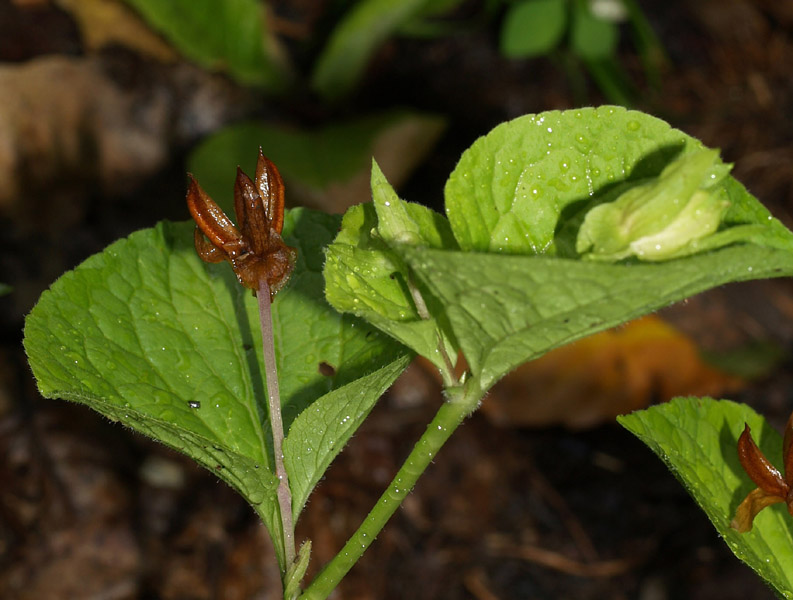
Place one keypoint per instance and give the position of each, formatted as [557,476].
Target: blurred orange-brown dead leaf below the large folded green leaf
[611,373]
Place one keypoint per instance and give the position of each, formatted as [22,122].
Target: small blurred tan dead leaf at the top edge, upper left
[106,22]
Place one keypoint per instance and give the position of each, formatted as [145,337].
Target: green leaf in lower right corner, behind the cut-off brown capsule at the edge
[697,439]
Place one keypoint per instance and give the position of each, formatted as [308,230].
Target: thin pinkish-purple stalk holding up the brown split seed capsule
[284,493]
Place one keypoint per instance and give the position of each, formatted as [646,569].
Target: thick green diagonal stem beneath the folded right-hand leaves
[461,402]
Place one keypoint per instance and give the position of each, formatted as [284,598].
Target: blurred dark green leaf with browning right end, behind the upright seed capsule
[317,165]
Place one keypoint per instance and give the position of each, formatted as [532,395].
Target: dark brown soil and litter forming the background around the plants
[90,510]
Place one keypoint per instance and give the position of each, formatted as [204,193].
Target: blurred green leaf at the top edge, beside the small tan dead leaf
[229,35]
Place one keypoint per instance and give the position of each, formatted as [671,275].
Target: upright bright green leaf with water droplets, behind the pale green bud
[525,187]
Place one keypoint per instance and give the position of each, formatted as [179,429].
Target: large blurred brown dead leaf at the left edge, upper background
[67,125]
